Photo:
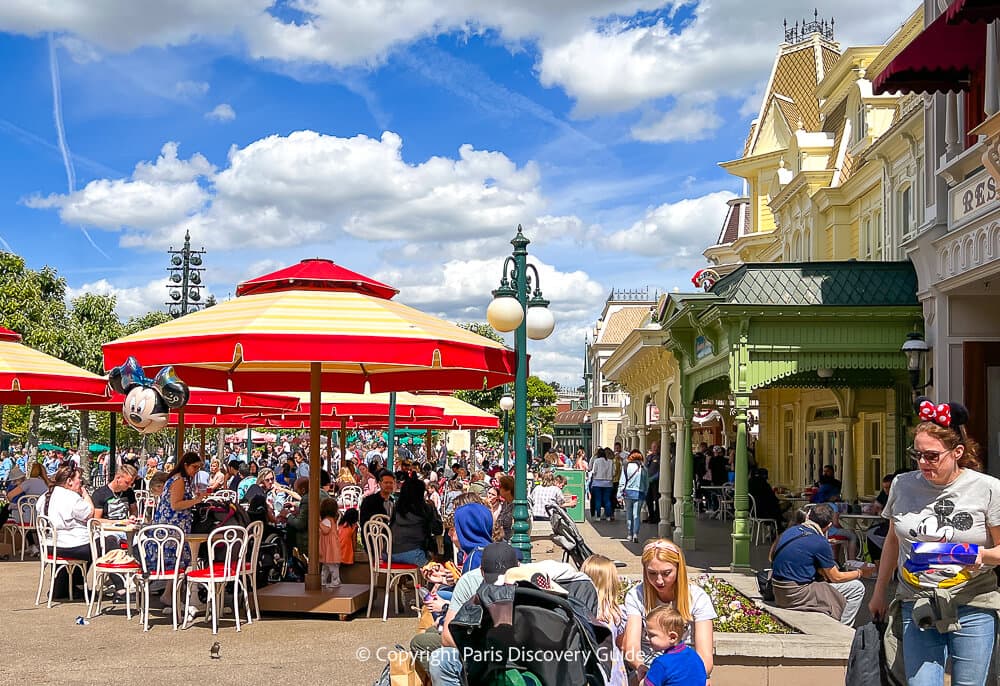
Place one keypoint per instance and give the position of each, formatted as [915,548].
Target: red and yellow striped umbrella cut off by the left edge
[30,376]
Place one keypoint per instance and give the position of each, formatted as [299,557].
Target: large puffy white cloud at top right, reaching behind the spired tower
[617,65]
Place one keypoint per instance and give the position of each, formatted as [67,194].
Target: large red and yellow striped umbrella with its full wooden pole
[319,327]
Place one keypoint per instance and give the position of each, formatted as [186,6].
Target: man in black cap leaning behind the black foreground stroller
[445,664]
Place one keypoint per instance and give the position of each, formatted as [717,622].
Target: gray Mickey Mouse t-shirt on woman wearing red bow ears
[959,512]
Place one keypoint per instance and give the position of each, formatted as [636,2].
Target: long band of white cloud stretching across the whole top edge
[604,55]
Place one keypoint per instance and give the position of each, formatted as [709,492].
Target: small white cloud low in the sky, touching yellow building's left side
[679,231]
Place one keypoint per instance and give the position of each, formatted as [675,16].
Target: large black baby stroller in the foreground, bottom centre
[550,637]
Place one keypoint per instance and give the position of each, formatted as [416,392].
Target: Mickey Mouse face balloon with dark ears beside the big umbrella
[148,402]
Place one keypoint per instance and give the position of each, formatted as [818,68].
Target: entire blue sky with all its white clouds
[403,141]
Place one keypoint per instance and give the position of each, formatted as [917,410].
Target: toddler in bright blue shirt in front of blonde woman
[678,663]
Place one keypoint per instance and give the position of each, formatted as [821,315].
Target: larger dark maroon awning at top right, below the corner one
[942,58]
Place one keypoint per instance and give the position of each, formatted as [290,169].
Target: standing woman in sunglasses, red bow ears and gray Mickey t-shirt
[946,500]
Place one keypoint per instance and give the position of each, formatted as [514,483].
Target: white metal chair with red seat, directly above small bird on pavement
[227,551]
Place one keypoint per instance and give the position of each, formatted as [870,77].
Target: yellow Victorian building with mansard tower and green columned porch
[807,300]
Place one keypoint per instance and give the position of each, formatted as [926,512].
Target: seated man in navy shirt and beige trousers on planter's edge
[800,555]
